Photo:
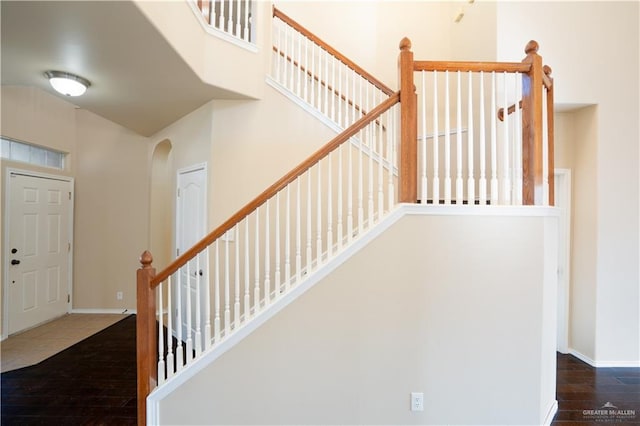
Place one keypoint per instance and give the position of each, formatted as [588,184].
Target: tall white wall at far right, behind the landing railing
[593,49]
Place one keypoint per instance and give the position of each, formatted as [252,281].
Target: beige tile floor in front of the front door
[37,344]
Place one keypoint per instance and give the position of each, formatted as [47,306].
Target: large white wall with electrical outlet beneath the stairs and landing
[440,316]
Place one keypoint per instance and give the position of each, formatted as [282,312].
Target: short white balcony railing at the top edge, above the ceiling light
[231,17]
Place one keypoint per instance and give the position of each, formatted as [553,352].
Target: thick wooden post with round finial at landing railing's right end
[532,182]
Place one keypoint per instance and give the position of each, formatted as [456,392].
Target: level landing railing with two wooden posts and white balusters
[469,151]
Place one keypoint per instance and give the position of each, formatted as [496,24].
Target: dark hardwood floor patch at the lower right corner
[588,395]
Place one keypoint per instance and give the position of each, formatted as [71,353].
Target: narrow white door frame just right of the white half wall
[563,195]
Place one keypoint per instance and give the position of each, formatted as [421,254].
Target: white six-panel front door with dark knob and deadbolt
[38,257]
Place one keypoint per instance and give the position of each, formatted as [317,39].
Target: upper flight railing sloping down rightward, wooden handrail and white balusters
[320,75]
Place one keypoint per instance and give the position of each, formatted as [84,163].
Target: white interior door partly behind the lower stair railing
[191,215]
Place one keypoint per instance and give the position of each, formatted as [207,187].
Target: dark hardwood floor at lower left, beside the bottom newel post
[90,383]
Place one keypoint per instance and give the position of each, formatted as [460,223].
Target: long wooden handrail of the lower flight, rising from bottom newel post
[273,189]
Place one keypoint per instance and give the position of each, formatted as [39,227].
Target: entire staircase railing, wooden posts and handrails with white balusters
[485,138]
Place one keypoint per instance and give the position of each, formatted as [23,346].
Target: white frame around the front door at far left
[6,225]
